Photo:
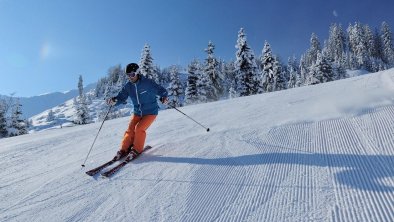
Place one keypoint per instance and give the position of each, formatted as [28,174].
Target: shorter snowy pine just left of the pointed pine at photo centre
[191,92]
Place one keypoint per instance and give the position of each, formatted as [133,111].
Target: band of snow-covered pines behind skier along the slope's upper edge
[357,47]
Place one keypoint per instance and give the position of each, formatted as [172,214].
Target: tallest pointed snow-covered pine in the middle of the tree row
[248,80]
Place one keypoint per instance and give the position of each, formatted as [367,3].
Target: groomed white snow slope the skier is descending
[316,153]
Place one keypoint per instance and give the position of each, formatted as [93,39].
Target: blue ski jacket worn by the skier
[143,95]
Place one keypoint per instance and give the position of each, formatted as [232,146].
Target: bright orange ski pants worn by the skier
[136,133]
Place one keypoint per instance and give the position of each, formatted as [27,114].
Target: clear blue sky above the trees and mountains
[46,44]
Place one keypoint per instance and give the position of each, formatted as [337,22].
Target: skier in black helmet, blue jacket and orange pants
[143,93]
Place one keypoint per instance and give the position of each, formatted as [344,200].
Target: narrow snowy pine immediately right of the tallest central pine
[267,68]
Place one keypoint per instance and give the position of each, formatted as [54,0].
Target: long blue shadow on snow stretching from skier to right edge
[362,171]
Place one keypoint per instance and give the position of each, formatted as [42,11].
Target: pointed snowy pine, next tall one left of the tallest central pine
[212,70]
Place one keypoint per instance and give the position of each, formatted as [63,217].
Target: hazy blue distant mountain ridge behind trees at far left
[36,104]
